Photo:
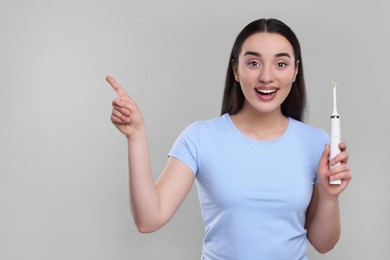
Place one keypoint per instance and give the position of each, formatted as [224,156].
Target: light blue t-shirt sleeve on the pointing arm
[185,148]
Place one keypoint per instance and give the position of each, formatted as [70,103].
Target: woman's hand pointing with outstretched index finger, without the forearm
[125,115]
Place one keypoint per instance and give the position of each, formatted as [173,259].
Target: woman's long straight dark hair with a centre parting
[233,98]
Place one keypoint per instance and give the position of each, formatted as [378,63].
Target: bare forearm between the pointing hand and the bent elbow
[144,198]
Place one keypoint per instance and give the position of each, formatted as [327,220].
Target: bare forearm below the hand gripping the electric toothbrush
[324,229]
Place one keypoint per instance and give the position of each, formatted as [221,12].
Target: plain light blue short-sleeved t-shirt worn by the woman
[253,194]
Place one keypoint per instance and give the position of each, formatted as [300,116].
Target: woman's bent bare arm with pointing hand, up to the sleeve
[152,204]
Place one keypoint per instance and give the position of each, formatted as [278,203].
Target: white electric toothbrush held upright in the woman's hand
[335,133]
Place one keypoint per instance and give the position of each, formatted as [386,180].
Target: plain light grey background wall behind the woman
[63,168]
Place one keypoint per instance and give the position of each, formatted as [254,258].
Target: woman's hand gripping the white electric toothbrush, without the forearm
[340,172]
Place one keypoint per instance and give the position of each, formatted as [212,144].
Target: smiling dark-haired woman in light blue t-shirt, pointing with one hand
[262,175]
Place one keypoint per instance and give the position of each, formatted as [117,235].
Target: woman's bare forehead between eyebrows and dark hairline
[267,43]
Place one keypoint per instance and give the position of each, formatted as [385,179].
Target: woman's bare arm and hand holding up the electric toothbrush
[323,214]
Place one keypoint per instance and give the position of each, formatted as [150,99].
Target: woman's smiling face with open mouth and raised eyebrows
[266,70]
